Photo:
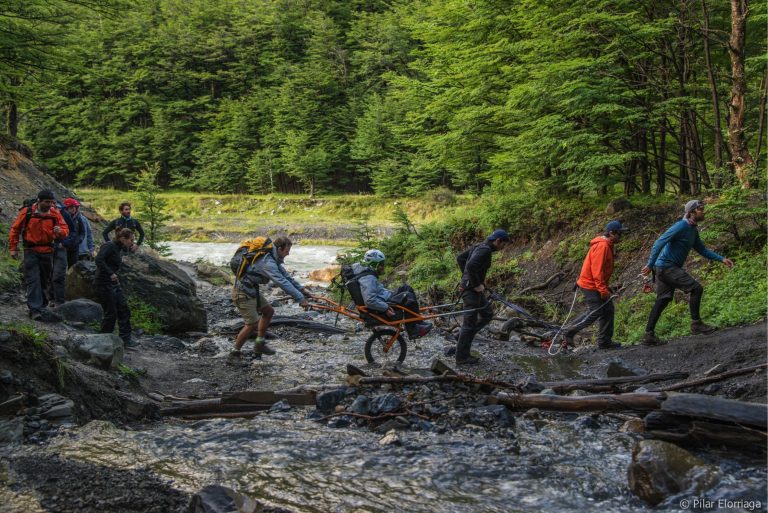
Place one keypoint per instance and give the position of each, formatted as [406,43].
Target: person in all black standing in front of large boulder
[107,285]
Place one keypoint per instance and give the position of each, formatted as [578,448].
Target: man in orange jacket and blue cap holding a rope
[593,281]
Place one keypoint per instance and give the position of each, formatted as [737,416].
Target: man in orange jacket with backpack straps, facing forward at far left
[37,227]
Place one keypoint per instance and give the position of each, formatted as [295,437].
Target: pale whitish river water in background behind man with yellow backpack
[301,260]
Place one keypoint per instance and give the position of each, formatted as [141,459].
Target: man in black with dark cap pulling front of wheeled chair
[474,263]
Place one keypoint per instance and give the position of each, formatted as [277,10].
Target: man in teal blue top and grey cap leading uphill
[668,256]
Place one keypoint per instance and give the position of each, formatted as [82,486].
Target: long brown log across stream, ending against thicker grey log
[632,402]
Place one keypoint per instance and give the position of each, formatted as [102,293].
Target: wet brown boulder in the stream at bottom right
[661,469]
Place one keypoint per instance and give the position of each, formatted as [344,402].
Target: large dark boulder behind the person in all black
[158,283]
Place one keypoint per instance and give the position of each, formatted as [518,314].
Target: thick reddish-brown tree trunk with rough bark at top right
[742,160]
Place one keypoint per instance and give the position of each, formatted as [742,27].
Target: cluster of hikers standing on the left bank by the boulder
[53,237]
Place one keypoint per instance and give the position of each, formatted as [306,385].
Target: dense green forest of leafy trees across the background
[395,97]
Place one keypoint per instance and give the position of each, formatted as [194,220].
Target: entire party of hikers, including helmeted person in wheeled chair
[54,236]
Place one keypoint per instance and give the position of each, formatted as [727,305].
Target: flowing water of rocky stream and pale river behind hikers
[566,465]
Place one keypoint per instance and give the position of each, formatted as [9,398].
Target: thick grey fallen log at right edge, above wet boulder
[717,408]
